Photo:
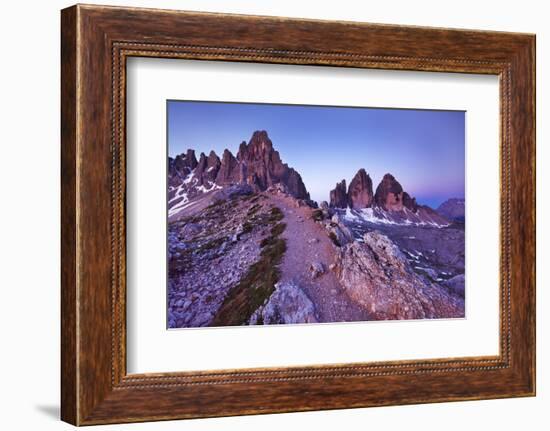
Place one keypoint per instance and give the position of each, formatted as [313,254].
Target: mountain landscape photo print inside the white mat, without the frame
[302,214]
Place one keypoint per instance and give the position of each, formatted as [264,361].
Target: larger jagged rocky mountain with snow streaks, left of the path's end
[257,165]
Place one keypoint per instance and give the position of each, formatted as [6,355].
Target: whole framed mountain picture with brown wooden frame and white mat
[263,214]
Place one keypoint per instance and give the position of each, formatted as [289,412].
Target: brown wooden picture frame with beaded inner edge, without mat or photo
[95,43]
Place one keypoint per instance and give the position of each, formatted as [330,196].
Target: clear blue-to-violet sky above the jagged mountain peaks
[423,149]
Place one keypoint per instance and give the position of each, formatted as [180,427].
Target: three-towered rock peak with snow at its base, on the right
[389,205]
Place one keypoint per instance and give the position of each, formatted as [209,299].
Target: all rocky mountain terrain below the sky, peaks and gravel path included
[246,246]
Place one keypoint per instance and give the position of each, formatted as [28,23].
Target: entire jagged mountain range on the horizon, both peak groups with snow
[258,165]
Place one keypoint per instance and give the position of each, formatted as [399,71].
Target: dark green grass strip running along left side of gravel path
[259,282]
